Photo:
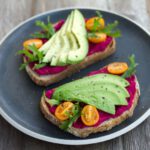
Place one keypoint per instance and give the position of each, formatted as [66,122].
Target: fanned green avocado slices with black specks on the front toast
[103,91]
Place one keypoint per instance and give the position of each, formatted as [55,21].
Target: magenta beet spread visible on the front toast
[103,115]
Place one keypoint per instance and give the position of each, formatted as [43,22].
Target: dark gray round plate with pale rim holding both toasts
[19,96]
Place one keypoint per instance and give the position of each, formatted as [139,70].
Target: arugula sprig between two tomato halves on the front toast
[76,113]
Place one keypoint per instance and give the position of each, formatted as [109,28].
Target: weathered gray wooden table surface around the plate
[12,12]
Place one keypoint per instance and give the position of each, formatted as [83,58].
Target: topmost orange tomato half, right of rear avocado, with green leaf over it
[90,23]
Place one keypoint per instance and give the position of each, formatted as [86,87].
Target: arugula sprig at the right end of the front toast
[132,67]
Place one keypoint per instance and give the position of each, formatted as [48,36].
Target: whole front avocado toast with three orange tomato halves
[95,103]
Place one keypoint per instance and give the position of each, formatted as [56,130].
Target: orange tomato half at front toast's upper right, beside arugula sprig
[117,67]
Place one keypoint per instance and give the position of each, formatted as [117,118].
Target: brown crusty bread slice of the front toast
[106,125]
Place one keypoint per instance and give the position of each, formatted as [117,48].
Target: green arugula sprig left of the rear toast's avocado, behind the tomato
[47,29]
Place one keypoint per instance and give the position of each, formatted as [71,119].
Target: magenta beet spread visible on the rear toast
[93,48]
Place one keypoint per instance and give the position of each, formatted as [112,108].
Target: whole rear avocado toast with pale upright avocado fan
[63,48]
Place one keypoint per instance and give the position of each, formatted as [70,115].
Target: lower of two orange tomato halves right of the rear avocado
[97,38]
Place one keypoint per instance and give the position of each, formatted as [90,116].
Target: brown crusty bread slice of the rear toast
[45,80]
